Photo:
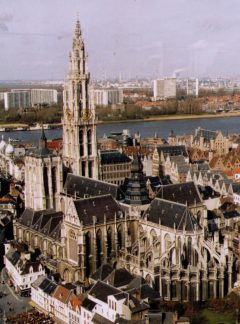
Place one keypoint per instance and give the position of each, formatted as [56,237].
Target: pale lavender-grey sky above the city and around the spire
[124,38]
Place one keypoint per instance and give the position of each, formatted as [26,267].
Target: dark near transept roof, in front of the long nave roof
[101,207]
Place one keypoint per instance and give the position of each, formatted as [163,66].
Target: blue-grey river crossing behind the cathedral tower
[147,129]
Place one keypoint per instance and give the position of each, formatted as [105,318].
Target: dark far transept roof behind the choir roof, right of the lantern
[183,193]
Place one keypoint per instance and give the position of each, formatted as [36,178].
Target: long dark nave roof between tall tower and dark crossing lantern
[81,187]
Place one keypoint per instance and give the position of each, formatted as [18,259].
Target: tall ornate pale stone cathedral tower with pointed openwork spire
[79,123]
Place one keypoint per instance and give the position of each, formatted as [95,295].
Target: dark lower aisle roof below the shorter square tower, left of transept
[46,221]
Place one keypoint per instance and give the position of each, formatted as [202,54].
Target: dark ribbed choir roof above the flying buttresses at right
[172,215]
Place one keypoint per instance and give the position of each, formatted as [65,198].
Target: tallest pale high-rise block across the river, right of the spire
[164,88]
